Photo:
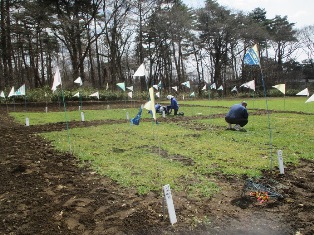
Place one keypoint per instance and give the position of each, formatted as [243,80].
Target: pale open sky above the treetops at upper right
[300,12]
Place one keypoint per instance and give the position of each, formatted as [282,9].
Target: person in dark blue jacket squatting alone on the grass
[237,115]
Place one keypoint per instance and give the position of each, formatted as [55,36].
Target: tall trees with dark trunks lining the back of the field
[105,41]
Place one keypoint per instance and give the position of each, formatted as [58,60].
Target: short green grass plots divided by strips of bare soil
[188,155]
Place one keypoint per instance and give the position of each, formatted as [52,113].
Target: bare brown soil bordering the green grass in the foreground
[43,191]
